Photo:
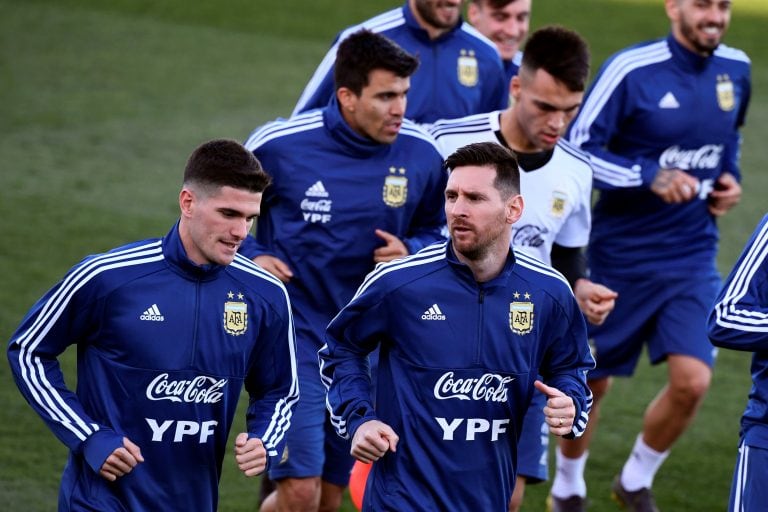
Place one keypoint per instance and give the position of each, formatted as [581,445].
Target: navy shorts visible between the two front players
[312,447]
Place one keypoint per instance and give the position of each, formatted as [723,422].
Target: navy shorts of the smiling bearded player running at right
[669,314]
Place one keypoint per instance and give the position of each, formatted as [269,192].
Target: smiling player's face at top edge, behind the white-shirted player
[506,23]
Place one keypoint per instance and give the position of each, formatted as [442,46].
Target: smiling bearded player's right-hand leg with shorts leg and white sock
[680,339]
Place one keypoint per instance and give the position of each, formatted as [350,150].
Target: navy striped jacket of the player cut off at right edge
[739,321]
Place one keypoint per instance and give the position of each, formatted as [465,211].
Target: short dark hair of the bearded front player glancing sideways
[490,154]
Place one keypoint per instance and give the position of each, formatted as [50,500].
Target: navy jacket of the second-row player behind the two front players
[331,189]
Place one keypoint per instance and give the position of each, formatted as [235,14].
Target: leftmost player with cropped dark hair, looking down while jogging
[167,332]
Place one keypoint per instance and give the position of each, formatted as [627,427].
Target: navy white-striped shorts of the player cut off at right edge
[748,490]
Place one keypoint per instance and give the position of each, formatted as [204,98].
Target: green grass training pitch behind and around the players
[101,102]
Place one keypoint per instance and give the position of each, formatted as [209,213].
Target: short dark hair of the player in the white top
[561,52]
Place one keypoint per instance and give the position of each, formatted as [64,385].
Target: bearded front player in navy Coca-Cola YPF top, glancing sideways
[464,328]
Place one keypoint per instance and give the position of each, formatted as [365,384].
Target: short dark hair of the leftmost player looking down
[225,163]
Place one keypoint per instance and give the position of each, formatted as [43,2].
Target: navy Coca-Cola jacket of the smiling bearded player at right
[659,105]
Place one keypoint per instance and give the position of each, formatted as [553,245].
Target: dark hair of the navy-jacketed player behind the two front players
[364,51]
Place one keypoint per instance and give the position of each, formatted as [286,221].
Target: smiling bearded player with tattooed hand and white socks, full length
[661,123]
